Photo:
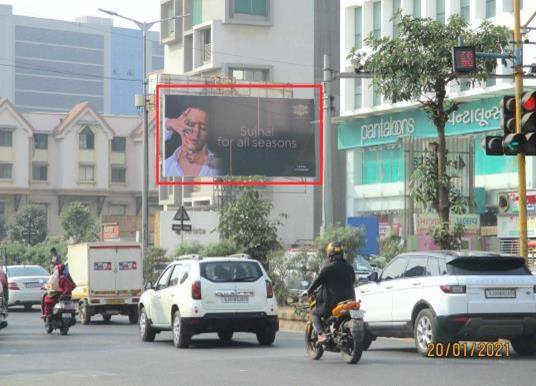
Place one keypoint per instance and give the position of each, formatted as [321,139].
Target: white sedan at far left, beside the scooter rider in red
[26,284]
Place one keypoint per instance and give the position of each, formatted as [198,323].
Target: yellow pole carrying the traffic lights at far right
[521,174]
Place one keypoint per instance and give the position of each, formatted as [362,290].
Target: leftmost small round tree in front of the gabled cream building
[30,225]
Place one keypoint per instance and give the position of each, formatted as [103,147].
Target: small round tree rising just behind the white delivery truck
[78,223]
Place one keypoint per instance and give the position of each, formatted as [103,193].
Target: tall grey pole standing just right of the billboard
[327,204]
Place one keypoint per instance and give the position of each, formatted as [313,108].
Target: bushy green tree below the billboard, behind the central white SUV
[247,223]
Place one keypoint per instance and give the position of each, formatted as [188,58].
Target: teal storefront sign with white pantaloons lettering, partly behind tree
[482,115]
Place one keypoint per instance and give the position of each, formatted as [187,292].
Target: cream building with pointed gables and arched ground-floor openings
[52,159]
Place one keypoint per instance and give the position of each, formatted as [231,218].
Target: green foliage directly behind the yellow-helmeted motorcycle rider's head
[351,238]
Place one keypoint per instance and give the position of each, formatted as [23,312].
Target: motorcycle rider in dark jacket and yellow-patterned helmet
[336,281]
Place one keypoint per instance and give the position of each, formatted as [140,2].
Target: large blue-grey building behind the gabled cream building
[52,65]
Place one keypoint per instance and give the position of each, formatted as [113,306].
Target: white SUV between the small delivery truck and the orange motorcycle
[196,295]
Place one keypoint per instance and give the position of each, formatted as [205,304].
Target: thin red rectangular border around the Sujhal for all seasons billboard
[317,182]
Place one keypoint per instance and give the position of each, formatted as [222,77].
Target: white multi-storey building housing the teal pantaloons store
[379,166]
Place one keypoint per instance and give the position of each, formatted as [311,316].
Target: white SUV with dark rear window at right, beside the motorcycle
[451,296]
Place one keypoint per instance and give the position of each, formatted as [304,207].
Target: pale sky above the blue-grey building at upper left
[143,10]
